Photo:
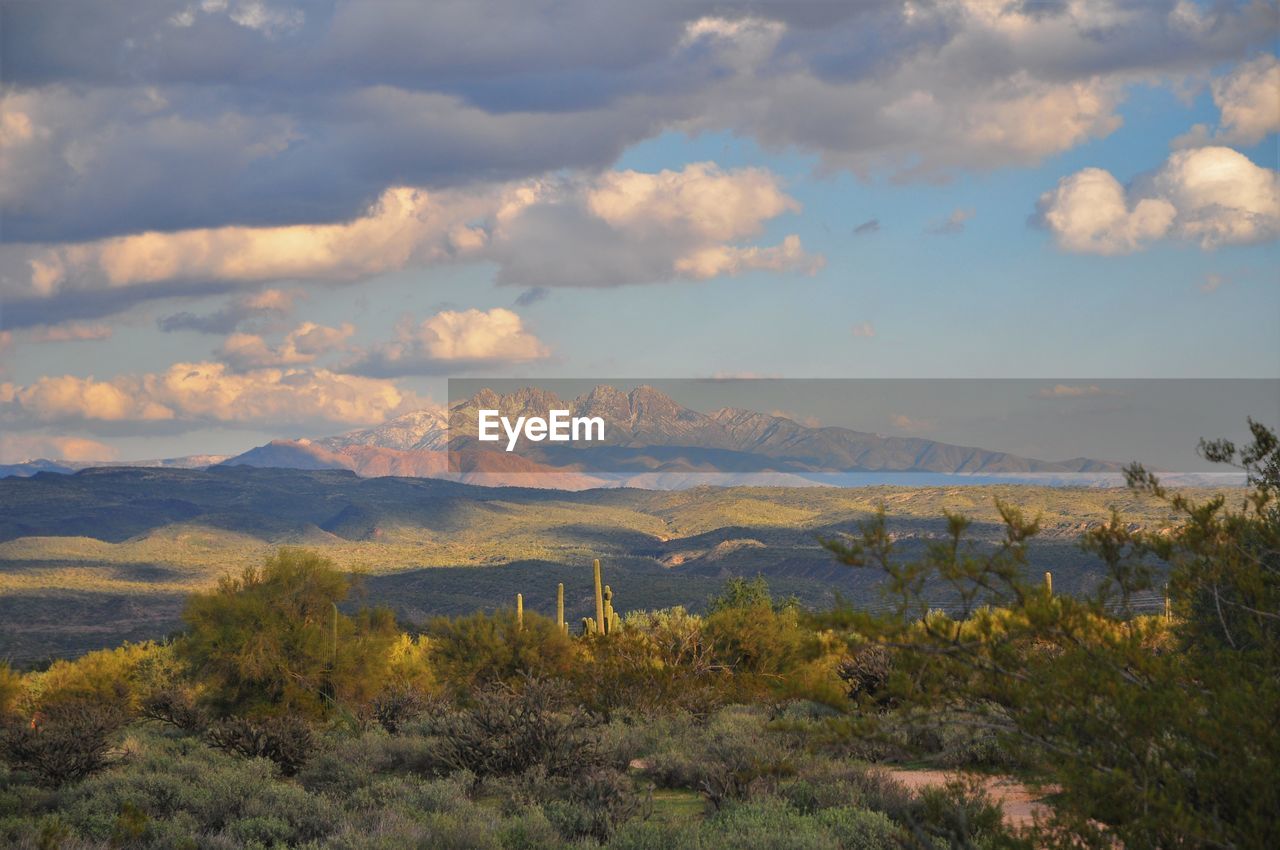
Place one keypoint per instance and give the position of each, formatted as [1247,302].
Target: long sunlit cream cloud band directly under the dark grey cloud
[615,229]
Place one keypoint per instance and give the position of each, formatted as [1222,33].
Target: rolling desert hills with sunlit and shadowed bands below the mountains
[108,554]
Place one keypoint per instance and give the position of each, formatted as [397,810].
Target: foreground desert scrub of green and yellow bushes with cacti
[282,716]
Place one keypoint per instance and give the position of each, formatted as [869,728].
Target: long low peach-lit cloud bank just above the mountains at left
[199,395]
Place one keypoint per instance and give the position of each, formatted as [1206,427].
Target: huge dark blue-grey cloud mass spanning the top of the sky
[149,115]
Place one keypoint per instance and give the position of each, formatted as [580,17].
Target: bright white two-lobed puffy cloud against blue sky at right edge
[1212,196]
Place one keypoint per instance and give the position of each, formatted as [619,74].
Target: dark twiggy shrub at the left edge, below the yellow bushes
[66,742]
